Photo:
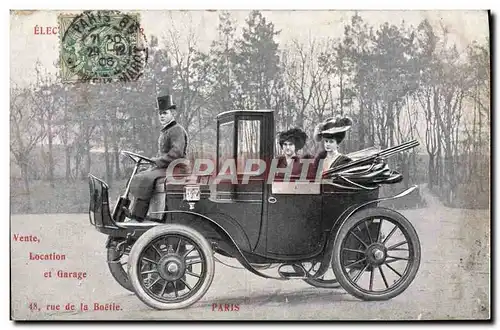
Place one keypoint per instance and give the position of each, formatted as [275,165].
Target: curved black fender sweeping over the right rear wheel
[327,257]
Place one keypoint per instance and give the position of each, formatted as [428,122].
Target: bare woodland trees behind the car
[397,82]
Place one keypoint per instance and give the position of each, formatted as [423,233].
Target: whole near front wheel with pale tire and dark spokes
[171,266]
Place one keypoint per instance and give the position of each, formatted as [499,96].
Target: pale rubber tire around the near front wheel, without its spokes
[171,229]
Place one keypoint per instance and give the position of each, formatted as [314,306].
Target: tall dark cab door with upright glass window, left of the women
[240,194]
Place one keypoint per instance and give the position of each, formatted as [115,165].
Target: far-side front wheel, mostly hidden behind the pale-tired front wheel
[117,263]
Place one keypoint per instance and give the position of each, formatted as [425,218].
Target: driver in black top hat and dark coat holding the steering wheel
[172,144]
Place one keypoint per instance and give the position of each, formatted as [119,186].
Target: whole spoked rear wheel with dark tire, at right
[385,248]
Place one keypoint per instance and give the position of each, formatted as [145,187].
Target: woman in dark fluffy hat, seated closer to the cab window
[291,142]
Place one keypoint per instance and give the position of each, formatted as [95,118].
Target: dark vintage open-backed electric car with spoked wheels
[296,229]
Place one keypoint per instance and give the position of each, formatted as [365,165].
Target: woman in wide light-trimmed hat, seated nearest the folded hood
[330,134]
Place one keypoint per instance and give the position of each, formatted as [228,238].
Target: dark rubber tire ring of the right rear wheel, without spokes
[351,223]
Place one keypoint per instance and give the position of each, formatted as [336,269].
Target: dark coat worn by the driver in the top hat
[172,144]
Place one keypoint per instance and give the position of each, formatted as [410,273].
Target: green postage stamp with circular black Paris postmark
[102,46]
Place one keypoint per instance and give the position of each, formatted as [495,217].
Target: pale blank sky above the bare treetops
[26,47]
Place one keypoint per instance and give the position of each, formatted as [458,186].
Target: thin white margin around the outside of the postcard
[192,4]
